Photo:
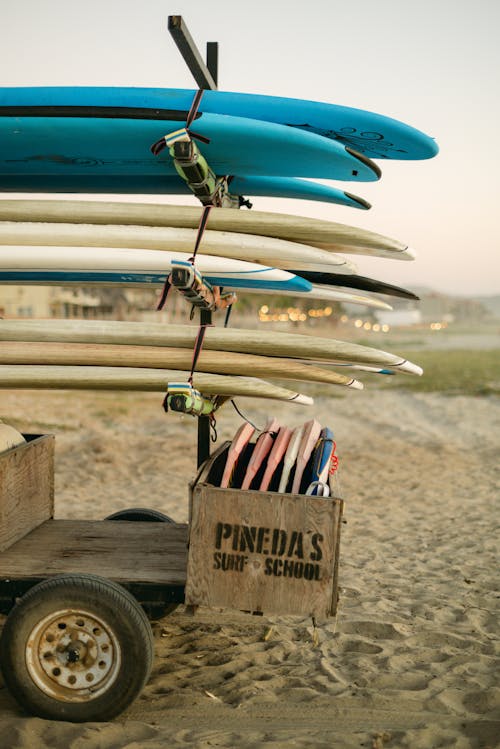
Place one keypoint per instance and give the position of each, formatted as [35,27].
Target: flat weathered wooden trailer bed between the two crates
[126,552]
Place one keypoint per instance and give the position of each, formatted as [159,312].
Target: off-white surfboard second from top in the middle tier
[248,247]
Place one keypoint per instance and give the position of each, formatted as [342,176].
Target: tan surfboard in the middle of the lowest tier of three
[160,357]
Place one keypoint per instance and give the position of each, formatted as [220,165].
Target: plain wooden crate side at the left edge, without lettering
[26,487]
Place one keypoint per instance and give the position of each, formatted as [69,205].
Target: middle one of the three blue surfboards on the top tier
[102,141]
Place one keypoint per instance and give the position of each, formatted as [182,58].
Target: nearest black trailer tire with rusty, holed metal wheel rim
[76,648]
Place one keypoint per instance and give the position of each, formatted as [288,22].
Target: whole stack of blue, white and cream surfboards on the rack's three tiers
[97,140]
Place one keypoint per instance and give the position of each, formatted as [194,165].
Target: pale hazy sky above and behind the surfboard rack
[434,64]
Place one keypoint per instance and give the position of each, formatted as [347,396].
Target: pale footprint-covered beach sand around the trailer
[412,657]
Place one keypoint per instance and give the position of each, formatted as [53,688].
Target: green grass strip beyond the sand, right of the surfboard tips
[472,372]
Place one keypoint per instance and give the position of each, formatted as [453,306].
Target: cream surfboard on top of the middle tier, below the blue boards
[327,235]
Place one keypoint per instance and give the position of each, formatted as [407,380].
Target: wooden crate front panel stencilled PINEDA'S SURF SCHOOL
[263,551]
